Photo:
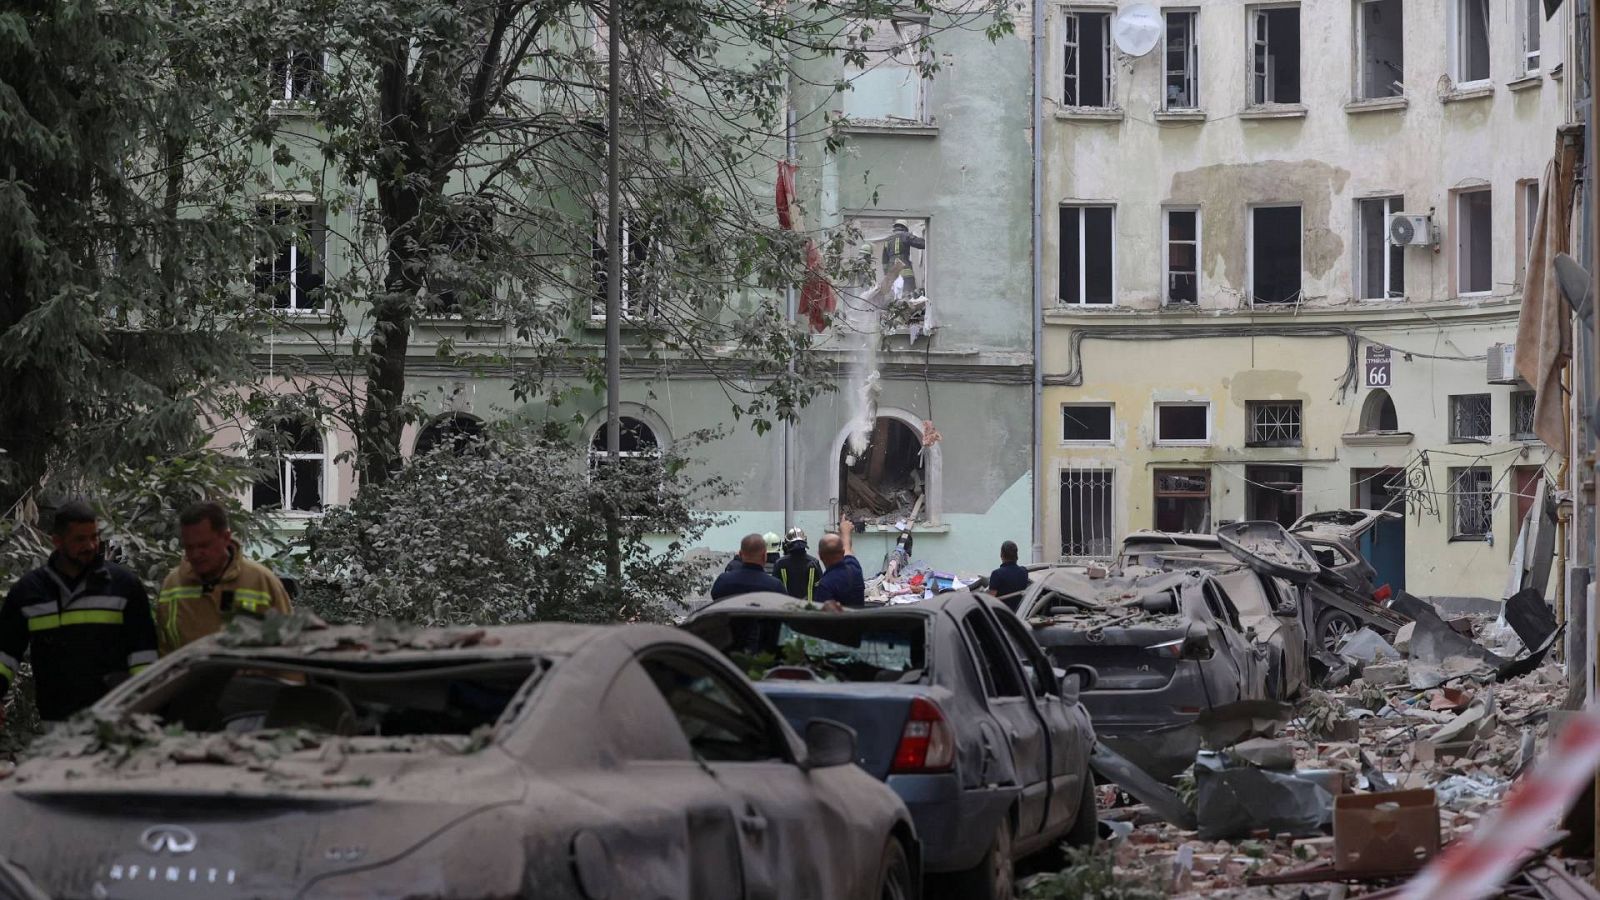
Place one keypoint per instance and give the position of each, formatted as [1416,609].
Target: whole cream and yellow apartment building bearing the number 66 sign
[1284,252]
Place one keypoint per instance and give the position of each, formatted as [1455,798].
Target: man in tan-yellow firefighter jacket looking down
[214,584]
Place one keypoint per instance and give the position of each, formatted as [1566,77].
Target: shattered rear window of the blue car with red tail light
[836,648]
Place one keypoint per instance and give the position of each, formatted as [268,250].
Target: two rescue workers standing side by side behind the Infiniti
[87,624]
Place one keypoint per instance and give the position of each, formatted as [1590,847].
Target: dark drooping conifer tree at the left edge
[121,260]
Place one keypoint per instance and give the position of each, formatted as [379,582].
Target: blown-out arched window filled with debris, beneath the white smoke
[889,481]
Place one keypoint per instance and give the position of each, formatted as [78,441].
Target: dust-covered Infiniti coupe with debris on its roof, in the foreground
[551,761]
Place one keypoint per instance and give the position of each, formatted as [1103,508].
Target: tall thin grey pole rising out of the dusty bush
[614,289]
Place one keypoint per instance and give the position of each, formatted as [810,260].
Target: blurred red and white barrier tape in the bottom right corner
[1474,867]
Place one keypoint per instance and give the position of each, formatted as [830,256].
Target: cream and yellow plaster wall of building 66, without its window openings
[1326,155]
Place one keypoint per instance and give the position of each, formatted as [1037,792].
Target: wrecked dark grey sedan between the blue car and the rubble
[1166,648]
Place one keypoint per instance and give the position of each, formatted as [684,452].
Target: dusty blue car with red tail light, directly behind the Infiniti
[958,710]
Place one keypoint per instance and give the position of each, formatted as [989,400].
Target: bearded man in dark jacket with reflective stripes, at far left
[86,624]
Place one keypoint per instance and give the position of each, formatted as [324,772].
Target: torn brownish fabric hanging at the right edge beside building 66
[1545,334]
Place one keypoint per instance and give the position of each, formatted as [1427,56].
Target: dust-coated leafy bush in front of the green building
[510,529]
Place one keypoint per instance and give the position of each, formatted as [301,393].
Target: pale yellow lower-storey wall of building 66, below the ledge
[1137,377]
